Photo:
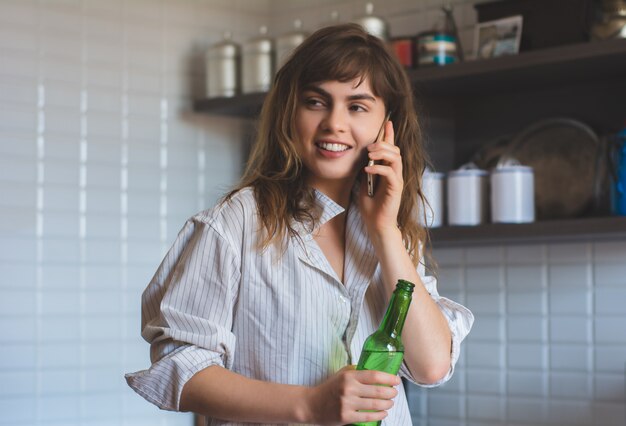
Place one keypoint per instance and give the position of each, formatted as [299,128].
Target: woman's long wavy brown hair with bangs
[274,170]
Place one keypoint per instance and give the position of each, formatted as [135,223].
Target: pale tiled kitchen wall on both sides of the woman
[102,158]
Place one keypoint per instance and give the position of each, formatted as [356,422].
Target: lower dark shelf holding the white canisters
[553,231]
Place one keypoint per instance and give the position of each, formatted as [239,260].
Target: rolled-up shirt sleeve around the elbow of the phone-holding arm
[459,318]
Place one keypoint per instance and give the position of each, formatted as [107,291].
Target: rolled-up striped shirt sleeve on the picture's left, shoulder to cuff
[187,313]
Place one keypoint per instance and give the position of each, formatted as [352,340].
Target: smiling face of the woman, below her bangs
[335,121]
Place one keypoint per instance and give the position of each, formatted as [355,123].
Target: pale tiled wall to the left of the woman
[99,167]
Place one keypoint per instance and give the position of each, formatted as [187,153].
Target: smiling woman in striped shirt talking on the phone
[263,303]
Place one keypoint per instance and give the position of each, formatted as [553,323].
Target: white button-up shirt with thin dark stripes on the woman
[281,315]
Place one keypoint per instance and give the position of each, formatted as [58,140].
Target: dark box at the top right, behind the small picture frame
[545,23]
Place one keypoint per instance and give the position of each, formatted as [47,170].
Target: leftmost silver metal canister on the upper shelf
[222,65]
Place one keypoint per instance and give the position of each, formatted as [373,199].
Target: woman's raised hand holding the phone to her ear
[380,212]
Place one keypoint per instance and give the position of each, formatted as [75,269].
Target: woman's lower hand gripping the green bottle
[342,397]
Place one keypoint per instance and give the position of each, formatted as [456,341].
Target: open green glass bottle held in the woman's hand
[383,350]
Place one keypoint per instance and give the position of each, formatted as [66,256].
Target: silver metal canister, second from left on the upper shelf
[257,63]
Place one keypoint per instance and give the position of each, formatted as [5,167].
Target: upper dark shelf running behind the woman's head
[601,61]
